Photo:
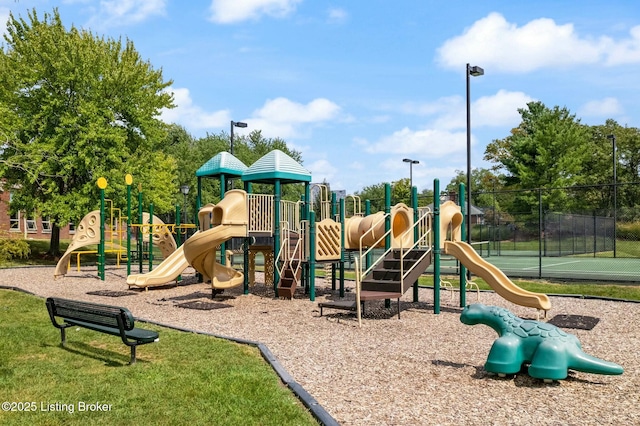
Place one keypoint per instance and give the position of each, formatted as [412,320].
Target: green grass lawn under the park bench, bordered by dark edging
[183,379]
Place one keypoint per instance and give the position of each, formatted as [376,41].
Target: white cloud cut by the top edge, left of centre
[231,11]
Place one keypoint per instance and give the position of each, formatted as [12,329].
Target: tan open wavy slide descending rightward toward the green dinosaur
[495,277]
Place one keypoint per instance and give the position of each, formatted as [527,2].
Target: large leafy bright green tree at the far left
[75,107]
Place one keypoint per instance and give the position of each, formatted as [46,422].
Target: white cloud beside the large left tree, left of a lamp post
[191,116]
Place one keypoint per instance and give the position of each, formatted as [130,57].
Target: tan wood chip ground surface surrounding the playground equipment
[421,369]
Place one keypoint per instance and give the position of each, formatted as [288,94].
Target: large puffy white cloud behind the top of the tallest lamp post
[501,46]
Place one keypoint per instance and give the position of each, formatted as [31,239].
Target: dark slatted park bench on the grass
[112,320]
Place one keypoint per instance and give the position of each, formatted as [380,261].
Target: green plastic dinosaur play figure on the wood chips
[549,351]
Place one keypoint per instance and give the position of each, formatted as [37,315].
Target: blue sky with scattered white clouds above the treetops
[356,86]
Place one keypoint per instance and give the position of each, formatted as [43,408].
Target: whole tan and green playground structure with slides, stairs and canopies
[391,249]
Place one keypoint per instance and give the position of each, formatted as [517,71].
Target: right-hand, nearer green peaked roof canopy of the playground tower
[276,165]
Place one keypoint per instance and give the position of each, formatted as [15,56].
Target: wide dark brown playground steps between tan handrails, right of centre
[385,280]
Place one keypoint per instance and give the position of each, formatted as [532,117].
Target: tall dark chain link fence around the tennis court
[597,222]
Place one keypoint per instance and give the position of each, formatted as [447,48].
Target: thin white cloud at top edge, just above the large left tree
[126,12]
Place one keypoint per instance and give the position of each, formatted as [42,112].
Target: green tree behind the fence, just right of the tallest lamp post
[544,151]
